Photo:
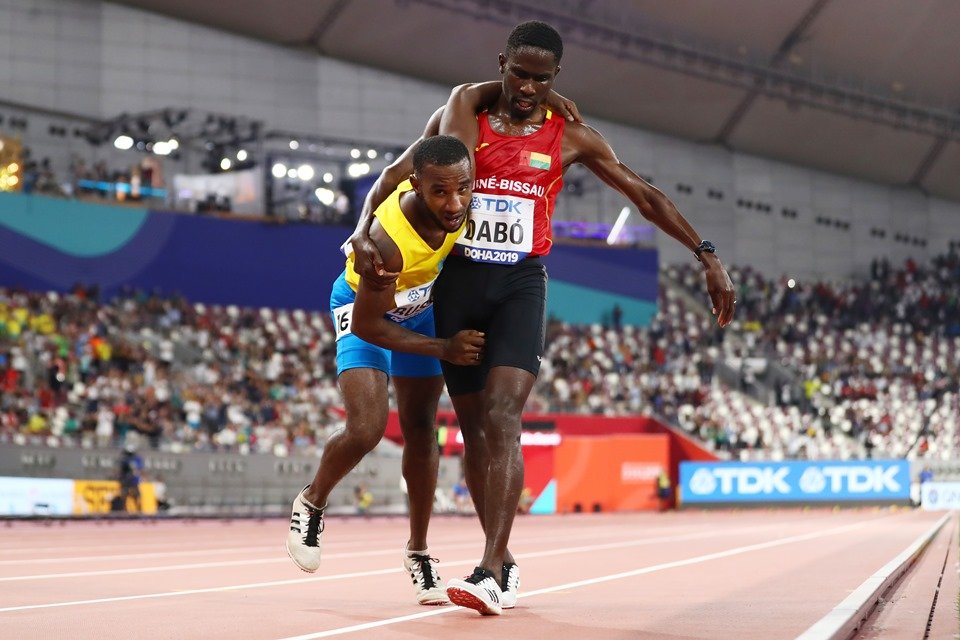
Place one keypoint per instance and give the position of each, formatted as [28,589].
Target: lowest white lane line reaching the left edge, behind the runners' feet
[371,553]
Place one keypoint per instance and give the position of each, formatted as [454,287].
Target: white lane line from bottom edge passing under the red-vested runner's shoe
[592,581]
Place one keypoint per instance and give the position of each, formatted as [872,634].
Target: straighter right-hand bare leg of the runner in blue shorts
[417,405]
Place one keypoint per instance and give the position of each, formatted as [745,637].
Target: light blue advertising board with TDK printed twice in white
[794,481]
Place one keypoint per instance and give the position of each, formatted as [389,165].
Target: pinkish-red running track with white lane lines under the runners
[743,575]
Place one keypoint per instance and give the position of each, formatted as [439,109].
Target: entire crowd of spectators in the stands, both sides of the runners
[875,366]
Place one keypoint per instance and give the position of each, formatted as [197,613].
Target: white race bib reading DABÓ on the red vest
[500,229]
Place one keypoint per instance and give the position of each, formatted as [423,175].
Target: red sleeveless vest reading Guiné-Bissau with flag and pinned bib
[517,182]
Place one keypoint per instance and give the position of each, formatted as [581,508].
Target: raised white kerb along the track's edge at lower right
[843,620]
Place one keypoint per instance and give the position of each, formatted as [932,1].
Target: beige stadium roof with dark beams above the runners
[867,88]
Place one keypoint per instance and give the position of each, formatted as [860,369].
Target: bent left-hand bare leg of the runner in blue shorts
[365,398]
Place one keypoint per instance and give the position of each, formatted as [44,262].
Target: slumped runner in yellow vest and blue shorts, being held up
[385,332]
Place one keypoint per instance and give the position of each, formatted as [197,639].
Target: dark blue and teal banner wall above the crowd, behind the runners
[51,244]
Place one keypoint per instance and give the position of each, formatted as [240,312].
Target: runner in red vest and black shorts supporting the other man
[503,294]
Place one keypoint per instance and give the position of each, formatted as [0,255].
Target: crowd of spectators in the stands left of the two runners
[78,372]
